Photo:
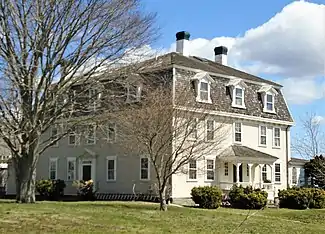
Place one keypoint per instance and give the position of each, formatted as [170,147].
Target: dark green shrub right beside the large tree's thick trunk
[51,189]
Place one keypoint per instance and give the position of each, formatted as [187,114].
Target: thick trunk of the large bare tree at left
[25,173]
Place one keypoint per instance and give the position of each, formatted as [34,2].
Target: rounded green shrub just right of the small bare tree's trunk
[208,197]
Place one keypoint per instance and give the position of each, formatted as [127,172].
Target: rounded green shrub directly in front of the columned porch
[247,198]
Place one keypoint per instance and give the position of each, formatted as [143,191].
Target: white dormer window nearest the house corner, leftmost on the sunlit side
[202,82]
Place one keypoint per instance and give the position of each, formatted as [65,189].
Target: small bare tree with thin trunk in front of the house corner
[170,136]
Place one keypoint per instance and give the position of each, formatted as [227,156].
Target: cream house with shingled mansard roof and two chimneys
[256,152]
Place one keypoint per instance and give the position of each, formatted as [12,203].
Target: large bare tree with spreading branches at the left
[65,42]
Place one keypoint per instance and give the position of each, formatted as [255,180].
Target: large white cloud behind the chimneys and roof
[291,45]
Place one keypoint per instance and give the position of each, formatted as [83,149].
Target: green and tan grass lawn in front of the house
[136,217]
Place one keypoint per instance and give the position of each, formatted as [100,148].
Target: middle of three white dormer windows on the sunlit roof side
[237,88]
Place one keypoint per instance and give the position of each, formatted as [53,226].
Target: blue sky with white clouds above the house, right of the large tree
[280,40]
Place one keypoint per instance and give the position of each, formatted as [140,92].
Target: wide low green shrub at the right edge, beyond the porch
[302,198]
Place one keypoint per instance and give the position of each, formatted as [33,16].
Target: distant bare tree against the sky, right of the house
[311,140]
